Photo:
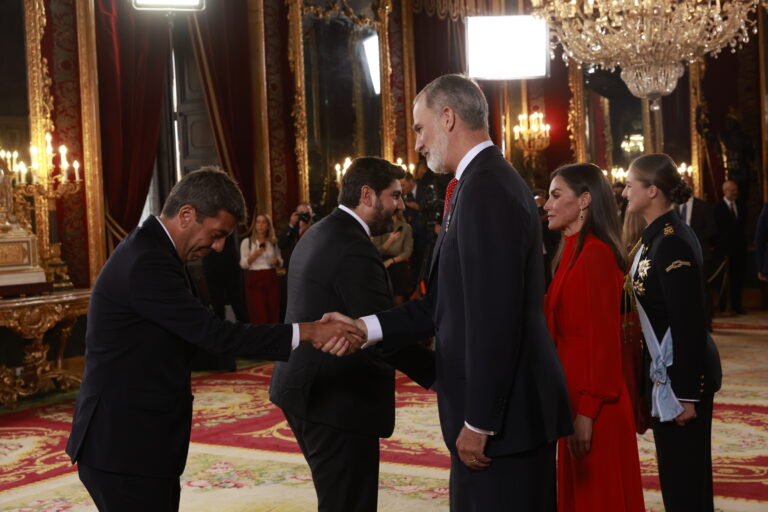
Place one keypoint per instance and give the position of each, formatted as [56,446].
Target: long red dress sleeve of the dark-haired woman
[594,312]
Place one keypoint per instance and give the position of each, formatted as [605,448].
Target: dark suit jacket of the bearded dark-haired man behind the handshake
[335,267]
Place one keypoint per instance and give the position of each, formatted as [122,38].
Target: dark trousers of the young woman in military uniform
[685,461]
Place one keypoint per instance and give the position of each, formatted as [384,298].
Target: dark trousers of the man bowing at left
[115,492]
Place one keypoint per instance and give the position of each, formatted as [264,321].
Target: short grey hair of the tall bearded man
[462,95]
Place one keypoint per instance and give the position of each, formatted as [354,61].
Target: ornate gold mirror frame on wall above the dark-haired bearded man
[296,10]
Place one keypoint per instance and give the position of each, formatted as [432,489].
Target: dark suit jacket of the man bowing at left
[134,411]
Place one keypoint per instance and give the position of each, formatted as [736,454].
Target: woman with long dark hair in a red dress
[598,466]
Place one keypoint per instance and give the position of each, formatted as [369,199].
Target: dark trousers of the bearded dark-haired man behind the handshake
[344,464]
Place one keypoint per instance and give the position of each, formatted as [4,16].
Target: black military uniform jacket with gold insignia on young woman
[668,283]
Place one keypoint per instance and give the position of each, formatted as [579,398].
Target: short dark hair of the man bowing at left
[208,190]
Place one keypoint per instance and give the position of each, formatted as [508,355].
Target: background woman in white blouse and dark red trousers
[260,258]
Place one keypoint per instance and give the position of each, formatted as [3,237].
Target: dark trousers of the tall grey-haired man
[524,481]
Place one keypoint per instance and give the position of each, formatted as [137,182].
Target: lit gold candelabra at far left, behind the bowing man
[44,186]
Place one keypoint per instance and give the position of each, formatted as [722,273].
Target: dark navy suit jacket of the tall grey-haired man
[497,367]
